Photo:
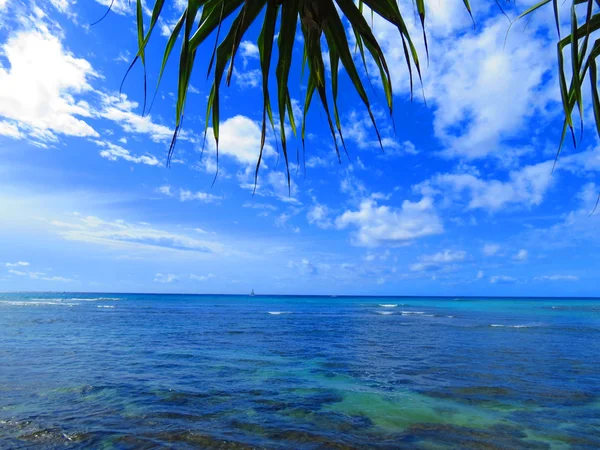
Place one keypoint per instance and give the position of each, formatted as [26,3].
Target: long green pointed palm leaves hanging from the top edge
[325,18]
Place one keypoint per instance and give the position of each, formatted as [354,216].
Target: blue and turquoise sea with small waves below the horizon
[173,371]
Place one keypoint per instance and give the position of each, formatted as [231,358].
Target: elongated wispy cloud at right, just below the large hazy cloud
[526,186]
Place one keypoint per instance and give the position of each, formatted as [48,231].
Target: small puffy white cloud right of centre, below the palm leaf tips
[380,225]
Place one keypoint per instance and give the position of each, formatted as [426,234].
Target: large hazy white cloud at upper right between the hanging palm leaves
[480,105]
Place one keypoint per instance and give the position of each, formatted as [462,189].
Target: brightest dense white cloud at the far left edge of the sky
[38,87]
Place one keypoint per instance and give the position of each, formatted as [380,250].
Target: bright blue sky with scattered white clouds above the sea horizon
[462,201]
